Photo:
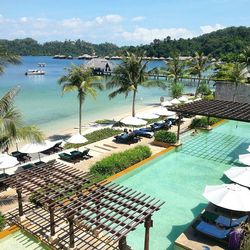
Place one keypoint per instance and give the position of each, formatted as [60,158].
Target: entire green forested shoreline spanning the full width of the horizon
[230,40]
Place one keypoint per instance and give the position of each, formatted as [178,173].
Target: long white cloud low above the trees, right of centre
[148,35]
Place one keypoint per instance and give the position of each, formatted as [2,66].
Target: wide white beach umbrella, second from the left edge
[32,148]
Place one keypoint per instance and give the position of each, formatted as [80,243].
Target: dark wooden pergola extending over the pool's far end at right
[214,108]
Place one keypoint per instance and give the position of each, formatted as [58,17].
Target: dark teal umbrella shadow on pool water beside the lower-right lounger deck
[177,230]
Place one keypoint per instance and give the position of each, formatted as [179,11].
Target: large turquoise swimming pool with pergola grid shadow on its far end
[179,178]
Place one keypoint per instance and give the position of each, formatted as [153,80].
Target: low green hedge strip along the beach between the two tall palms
[97,135]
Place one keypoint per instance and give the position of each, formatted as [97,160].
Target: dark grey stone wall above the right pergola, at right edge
[225,91]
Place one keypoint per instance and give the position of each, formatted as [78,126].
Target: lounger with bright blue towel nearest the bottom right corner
[210,230]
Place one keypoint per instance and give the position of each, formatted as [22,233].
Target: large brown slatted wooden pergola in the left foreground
[104,211]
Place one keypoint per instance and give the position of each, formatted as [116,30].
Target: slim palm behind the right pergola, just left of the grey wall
[198,65]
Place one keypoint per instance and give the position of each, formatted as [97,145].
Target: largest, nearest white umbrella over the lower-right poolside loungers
[229,196]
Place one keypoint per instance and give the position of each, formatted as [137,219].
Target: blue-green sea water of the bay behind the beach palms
[42,103]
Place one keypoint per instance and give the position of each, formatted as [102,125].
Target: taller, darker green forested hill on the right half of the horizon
[219,43]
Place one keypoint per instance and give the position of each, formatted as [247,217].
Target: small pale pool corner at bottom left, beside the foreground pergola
[20,241]
